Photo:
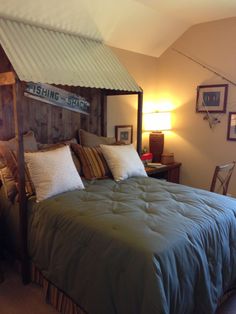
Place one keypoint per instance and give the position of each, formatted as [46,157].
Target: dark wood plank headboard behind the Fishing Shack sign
[49,123]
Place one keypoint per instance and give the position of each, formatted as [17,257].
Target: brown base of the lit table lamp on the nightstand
[156,145]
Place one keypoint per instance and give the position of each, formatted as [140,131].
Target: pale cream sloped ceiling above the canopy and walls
[144,26]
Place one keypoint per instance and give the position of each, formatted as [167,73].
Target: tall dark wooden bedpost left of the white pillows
[18,119]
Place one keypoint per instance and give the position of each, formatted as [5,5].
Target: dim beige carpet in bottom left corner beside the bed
[16,298]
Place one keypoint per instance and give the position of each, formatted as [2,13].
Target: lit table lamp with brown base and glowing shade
[156,122]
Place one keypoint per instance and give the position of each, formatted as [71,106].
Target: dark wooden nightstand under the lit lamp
[169,172]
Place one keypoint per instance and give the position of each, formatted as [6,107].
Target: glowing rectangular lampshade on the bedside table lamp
[156,121]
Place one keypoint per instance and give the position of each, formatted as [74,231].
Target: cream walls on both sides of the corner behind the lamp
[173,79]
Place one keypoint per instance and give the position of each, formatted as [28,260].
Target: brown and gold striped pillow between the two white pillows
[94,165]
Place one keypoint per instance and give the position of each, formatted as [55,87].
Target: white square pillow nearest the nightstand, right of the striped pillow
[123,161]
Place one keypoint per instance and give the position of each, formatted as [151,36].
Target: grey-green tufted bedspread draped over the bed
[142,246]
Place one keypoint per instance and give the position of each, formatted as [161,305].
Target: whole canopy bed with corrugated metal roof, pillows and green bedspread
[125,243]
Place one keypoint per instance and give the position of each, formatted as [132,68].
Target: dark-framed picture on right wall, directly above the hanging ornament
[212,98]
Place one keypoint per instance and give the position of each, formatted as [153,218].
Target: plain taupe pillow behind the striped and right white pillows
[92,140]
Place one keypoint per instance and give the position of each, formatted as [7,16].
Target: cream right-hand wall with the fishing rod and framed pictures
[197,146]
